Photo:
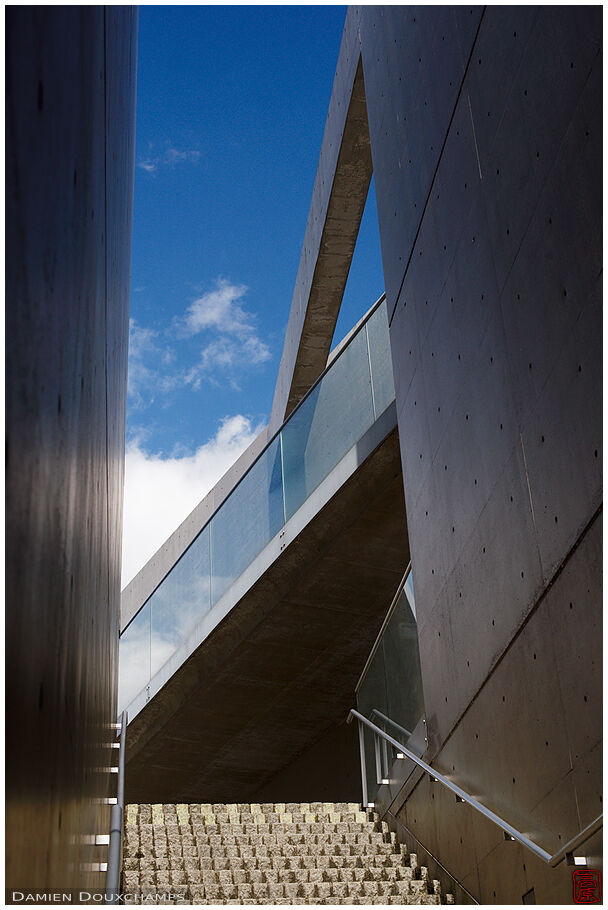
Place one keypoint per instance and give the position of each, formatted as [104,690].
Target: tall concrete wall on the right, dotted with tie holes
[485,129]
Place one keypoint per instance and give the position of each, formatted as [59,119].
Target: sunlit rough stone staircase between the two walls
[269,853]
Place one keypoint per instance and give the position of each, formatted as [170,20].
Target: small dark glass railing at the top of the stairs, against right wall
[389,692]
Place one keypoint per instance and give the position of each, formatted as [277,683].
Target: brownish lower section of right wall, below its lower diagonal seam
[542,696]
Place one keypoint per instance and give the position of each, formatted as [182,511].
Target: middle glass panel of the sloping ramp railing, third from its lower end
[247,520]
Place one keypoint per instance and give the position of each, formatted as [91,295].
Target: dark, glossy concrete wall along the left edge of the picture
[70,155]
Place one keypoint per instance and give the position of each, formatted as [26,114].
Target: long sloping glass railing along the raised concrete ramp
[355,389]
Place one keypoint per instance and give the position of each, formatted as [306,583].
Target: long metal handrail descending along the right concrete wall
[551,859]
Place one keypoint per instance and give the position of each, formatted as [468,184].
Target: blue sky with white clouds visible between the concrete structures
[231,108]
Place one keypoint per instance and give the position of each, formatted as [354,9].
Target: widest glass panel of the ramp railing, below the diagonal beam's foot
[331,420]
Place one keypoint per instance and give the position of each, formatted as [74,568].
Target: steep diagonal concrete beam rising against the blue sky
[338,200]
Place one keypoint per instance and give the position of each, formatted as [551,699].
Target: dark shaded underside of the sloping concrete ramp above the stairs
[279,671]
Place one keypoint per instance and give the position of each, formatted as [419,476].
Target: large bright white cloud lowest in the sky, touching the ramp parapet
[160,492]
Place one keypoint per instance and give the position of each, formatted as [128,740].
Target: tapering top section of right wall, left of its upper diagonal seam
[413,64]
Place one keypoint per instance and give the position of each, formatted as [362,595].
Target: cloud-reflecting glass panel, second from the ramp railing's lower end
[180,602]
